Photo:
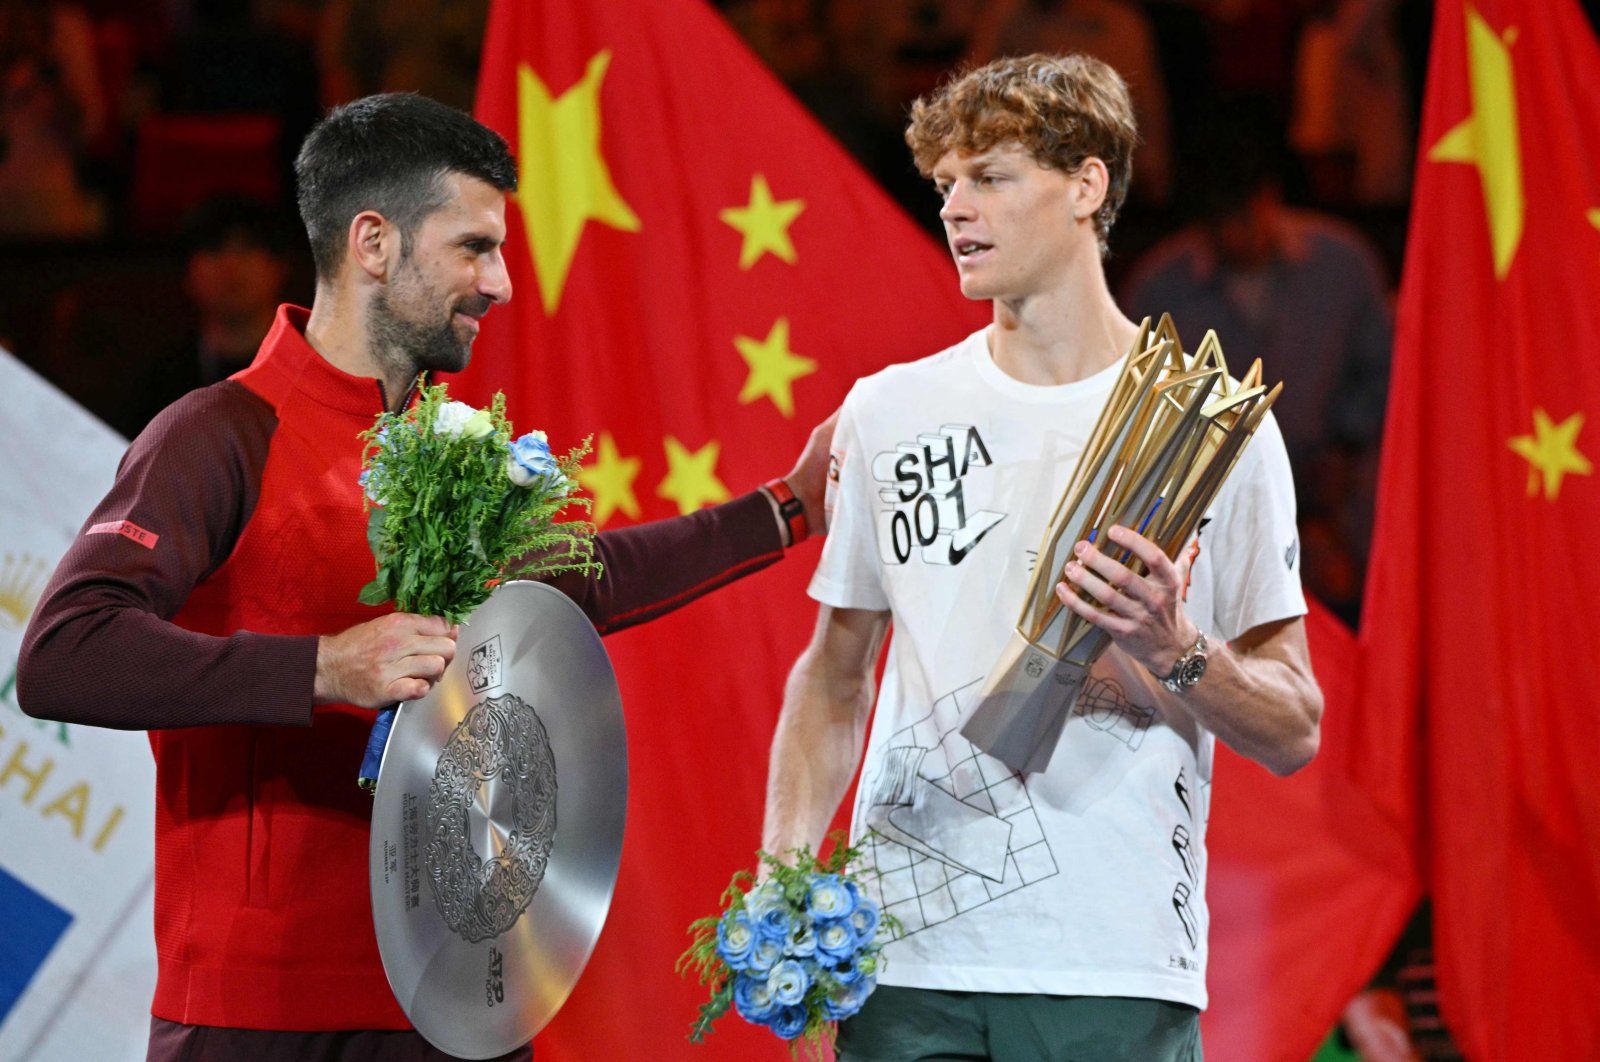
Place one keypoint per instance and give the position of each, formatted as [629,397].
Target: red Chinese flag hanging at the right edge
[1481,698]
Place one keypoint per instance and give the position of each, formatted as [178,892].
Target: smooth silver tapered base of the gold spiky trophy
[1025,705]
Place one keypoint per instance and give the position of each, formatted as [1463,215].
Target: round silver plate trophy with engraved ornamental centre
[498,826]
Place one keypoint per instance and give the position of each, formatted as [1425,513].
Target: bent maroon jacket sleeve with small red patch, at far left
[102,649]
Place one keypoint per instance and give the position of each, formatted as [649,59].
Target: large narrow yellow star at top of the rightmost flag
[1489,138]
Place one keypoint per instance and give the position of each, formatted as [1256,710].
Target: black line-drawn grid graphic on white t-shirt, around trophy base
[954,829]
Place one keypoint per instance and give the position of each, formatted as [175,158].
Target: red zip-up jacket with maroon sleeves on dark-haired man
[191,607]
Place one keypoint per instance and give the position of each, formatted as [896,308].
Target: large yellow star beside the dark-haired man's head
[566,180]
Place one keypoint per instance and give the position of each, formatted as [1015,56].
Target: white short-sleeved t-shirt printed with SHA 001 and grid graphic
[1087,879]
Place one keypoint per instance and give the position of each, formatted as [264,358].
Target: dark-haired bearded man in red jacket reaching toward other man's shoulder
[212,597]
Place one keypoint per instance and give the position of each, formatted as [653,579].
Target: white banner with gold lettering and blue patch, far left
[78,805]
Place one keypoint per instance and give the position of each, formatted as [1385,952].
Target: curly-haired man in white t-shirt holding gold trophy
[1058,916]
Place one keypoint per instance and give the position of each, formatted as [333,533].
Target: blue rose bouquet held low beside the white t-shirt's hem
[794,952]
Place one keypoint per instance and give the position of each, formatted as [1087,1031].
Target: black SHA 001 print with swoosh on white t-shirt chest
[926,498]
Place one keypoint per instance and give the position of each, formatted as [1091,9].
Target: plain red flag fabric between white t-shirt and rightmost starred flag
[1310,882]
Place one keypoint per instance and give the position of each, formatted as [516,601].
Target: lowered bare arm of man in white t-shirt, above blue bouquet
[822,727]
